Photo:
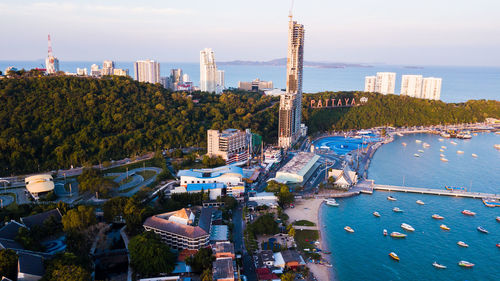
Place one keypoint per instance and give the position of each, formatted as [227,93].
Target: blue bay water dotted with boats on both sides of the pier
[363,255]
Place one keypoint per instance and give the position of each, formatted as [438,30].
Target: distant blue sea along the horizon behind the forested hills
[459,83]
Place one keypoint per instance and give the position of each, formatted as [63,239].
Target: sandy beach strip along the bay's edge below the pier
[309,209]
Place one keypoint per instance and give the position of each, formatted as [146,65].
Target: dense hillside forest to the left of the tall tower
[54,122]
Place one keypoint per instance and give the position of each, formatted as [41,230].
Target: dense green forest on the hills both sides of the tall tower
[54,122]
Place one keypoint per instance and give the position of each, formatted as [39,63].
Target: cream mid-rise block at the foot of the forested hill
[231,145]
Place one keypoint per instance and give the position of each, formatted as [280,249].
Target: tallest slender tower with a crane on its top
[291,102]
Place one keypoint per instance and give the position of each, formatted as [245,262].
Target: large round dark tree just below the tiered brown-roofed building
[149,256]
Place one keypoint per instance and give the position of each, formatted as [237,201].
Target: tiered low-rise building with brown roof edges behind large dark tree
[178,229]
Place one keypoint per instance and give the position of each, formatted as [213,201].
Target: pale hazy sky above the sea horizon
[400,32]
